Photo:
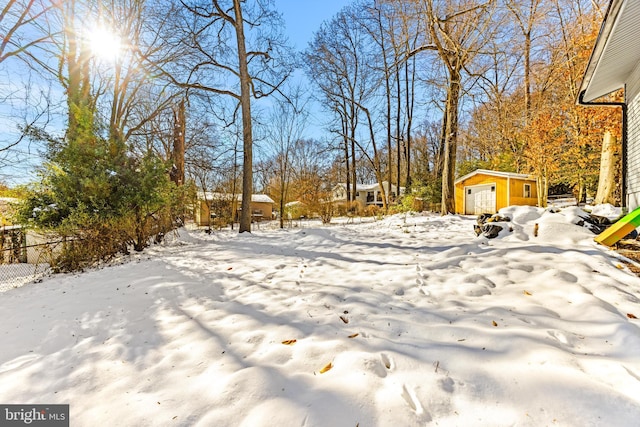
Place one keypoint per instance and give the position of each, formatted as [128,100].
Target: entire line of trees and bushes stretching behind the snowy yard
[412,92]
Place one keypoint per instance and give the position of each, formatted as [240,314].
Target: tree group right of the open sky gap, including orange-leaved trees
[429,90]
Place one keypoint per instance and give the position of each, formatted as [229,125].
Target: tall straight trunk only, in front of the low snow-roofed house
[247,134]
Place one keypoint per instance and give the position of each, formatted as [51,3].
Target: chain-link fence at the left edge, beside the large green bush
[24,258]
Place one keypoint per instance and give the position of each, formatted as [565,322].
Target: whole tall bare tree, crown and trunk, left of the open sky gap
[234,49]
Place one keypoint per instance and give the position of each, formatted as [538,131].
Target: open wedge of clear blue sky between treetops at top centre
[303,17]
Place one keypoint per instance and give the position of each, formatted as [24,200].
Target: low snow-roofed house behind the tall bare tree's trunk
[214,205]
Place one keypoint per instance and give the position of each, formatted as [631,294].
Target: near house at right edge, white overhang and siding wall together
[614,65]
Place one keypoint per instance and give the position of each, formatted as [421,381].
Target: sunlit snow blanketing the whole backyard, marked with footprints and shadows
[422,323]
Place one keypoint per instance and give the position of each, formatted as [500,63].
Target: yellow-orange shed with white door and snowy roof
[486,191]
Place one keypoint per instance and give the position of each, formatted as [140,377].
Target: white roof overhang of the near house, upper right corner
[615,54]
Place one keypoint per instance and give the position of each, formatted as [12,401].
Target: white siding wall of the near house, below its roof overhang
[633,140]
